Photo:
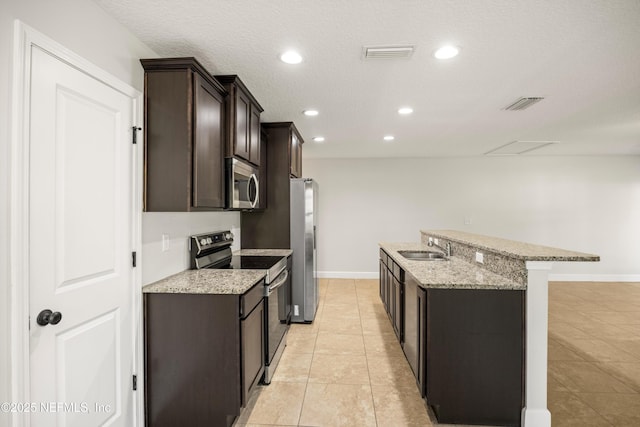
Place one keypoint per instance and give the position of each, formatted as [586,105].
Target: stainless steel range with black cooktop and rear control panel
[213,250]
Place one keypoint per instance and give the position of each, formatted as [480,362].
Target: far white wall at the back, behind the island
[588,204]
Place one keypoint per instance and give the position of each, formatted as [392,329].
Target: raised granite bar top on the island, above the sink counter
[512,248]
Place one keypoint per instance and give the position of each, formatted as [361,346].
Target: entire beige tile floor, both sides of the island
[347,368]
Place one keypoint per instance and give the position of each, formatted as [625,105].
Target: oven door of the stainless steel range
[278,313]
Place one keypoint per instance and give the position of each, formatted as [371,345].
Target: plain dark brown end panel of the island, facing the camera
[475,356]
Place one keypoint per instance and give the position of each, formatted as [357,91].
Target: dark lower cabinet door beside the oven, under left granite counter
[252,333]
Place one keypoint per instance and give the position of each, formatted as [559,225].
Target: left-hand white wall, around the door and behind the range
[84,28]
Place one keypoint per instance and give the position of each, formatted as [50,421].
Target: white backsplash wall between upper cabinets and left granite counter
[165,239]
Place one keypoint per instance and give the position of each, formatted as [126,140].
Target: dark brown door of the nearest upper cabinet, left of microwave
[208,154]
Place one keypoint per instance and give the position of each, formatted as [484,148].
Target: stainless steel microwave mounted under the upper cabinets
[242,184]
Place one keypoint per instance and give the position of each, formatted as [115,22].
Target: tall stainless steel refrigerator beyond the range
[305,292]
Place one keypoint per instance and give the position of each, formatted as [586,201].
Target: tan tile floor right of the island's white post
[594,354]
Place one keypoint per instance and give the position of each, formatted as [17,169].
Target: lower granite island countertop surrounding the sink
[452,274]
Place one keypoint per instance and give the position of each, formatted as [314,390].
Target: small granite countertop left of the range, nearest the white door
[207,281]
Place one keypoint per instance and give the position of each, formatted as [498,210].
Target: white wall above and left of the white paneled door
[84,28]
